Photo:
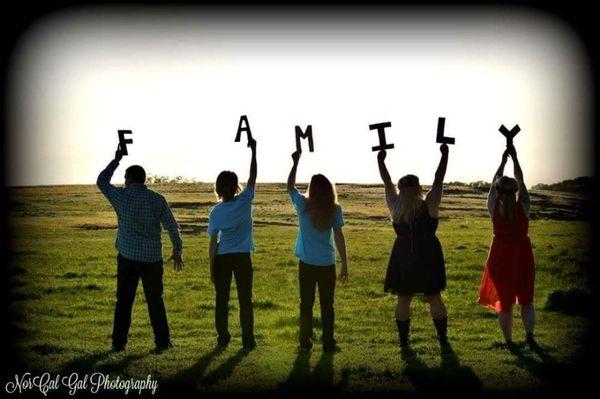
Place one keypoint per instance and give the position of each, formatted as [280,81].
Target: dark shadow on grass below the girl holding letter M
[302,379]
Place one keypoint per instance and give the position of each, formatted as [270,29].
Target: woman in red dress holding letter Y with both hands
[509,272]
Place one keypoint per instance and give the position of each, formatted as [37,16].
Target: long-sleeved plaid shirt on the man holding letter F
[140,213]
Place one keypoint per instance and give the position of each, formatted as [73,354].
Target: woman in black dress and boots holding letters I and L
[416,265]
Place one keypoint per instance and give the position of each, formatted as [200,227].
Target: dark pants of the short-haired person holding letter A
[240,266]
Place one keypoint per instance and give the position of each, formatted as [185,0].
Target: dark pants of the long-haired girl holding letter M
[310,276]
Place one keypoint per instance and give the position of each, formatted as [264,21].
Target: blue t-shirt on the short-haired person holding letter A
[232,220]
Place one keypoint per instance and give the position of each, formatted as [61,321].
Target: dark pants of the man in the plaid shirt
[128,275]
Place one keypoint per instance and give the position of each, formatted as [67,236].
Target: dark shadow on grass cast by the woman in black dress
[449,376]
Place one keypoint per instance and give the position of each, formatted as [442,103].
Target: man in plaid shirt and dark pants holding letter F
[140,214]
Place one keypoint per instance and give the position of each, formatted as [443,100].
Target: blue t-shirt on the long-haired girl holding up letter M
[314,246]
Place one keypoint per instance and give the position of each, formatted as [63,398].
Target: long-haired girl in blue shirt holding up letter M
[320,224]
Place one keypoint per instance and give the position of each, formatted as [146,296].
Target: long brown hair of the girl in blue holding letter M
[321,202]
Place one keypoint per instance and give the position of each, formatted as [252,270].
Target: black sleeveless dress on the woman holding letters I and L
[417,262]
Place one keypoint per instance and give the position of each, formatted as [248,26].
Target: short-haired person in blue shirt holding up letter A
[231,242]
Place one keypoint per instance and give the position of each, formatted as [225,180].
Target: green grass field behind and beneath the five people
[64,279]
